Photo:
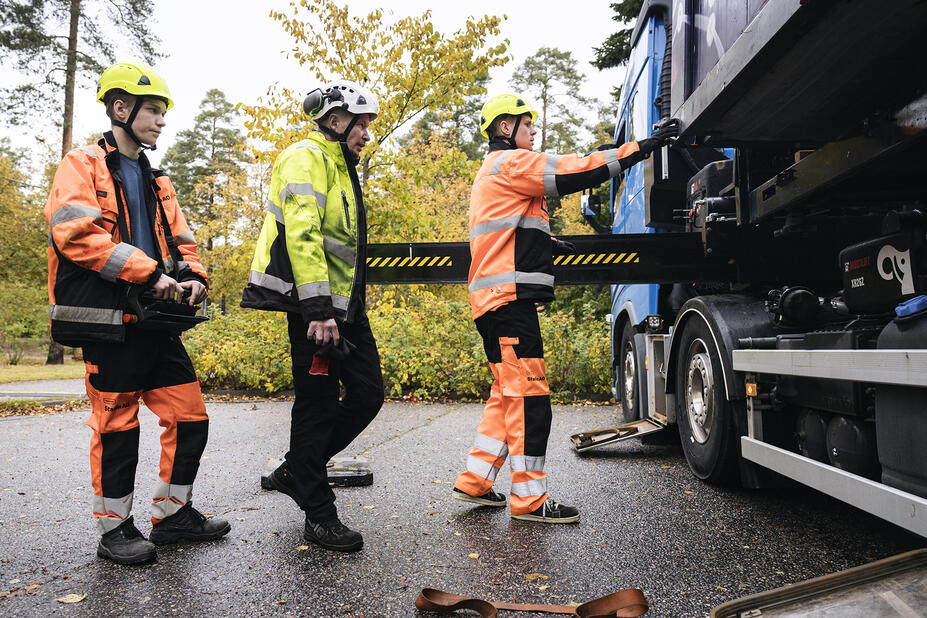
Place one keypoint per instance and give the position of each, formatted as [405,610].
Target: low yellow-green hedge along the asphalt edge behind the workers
[429,349]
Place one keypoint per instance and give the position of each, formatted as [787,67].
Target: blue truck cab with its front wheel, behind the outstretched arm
[646,200]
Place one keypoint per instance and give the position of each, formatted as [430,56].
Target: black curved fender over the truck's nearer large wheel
[729,317]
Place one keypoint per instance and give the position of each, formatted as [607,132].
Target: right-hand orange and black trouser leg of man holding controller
[182,414]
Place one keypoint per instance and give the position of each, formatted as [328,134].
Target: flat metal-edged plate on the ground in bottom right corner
[893,587]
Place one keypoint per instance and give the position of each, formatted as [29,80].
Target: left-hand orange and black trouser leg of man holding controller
[113,455]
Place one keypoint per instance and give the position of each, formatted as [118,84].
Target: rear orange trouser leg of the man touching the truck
[489,448]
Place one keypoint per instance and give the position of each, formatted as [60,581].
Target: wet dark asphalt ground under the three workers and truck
[646,522]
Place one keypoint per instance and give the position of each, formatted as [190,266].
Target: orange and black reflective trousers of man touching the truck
[516,419]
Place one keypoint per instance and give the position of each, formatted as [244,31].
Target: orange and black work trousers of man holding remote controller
[154,367]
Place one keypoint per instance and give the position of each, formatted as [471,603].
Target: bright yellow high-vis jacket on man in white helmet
[311,252]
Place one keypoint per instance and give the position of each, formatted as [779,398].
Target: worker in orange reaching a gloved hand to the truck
[512,269]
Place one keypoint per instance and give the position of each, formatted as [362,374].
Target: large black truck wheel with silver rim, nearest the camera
[706,424]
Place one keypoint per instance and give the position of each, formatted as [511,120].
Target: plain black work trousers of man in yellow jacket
[323,423]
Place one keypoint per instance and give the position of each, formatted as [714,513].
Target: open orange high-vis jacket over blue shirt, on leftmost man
[90,264]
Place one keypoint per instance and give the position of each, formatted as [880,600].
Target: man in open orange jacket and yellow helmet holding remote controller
[115,231]
